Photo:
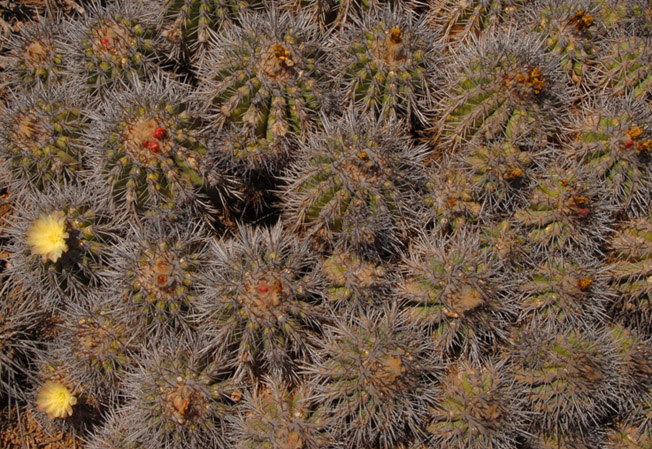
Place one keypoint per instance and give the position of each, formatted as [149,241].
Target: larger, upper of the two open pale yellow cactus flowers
[47,236]
